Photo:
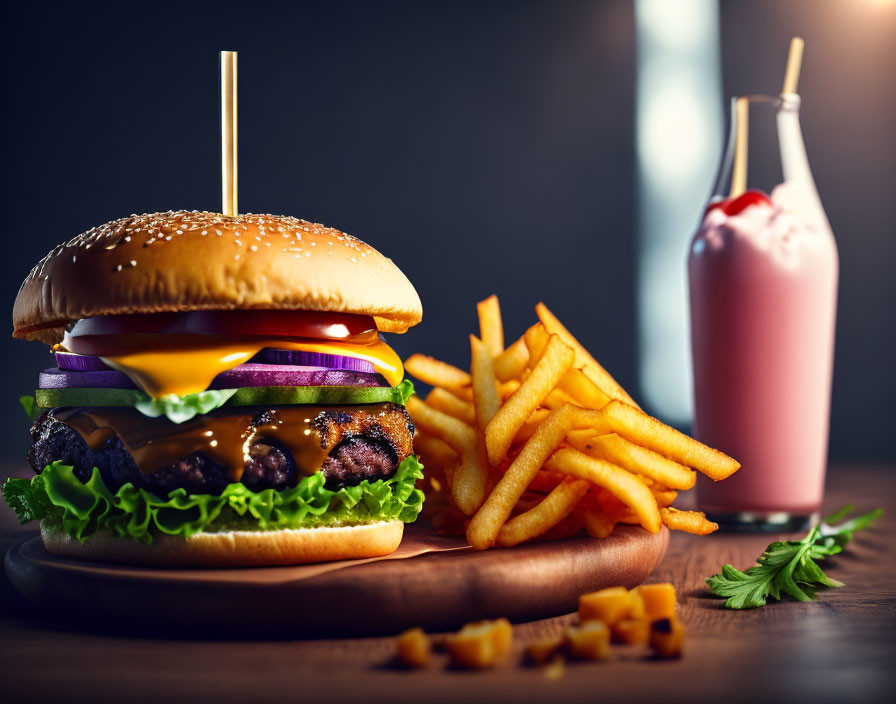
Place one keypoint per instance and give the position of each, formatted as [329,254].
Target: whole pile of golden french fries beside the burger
[538,439]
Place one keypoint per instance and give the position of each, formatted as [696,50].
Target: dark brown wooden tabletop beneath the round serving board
[839,648]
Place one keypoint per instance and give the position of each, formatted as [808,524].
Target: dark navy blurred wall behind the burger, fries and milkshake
[484,146]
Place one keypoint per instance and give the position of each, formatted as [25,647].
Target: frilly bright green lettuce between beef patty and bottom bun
[58,497]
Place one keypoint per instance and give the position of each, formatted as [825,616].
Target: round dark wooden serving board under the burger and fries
[438,590]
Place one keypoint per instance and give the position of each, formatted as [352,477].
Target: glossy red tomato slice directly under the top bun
[276,323]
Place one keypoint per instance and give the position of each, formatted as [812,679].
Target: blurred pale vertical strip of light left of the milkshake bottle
[679,140]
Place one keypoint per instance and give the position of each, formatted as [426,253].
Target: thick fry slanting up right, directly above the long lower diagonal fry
[499,433]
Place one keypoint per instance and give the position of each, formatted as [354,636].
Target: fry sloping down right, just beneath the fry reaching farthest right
[619,451]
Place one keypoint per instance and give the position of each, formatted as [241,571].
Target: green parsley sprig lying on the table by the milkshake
[789,567]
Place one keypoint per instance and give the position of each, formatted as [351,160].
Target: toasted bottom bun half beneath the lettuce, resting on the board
[239,548]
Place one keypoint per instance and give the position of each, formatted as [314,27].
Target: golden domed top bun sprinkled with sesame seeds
[189,260]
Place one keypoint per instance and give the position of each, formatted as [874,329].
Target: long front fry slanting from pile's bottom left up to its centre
[483,528]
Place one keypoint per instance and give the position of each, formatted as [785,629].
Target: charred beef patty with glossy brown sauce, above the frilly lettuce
[348,446]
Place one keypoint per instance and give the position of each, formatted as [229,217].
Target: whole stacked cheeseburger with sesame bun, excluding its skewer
[220,395]
